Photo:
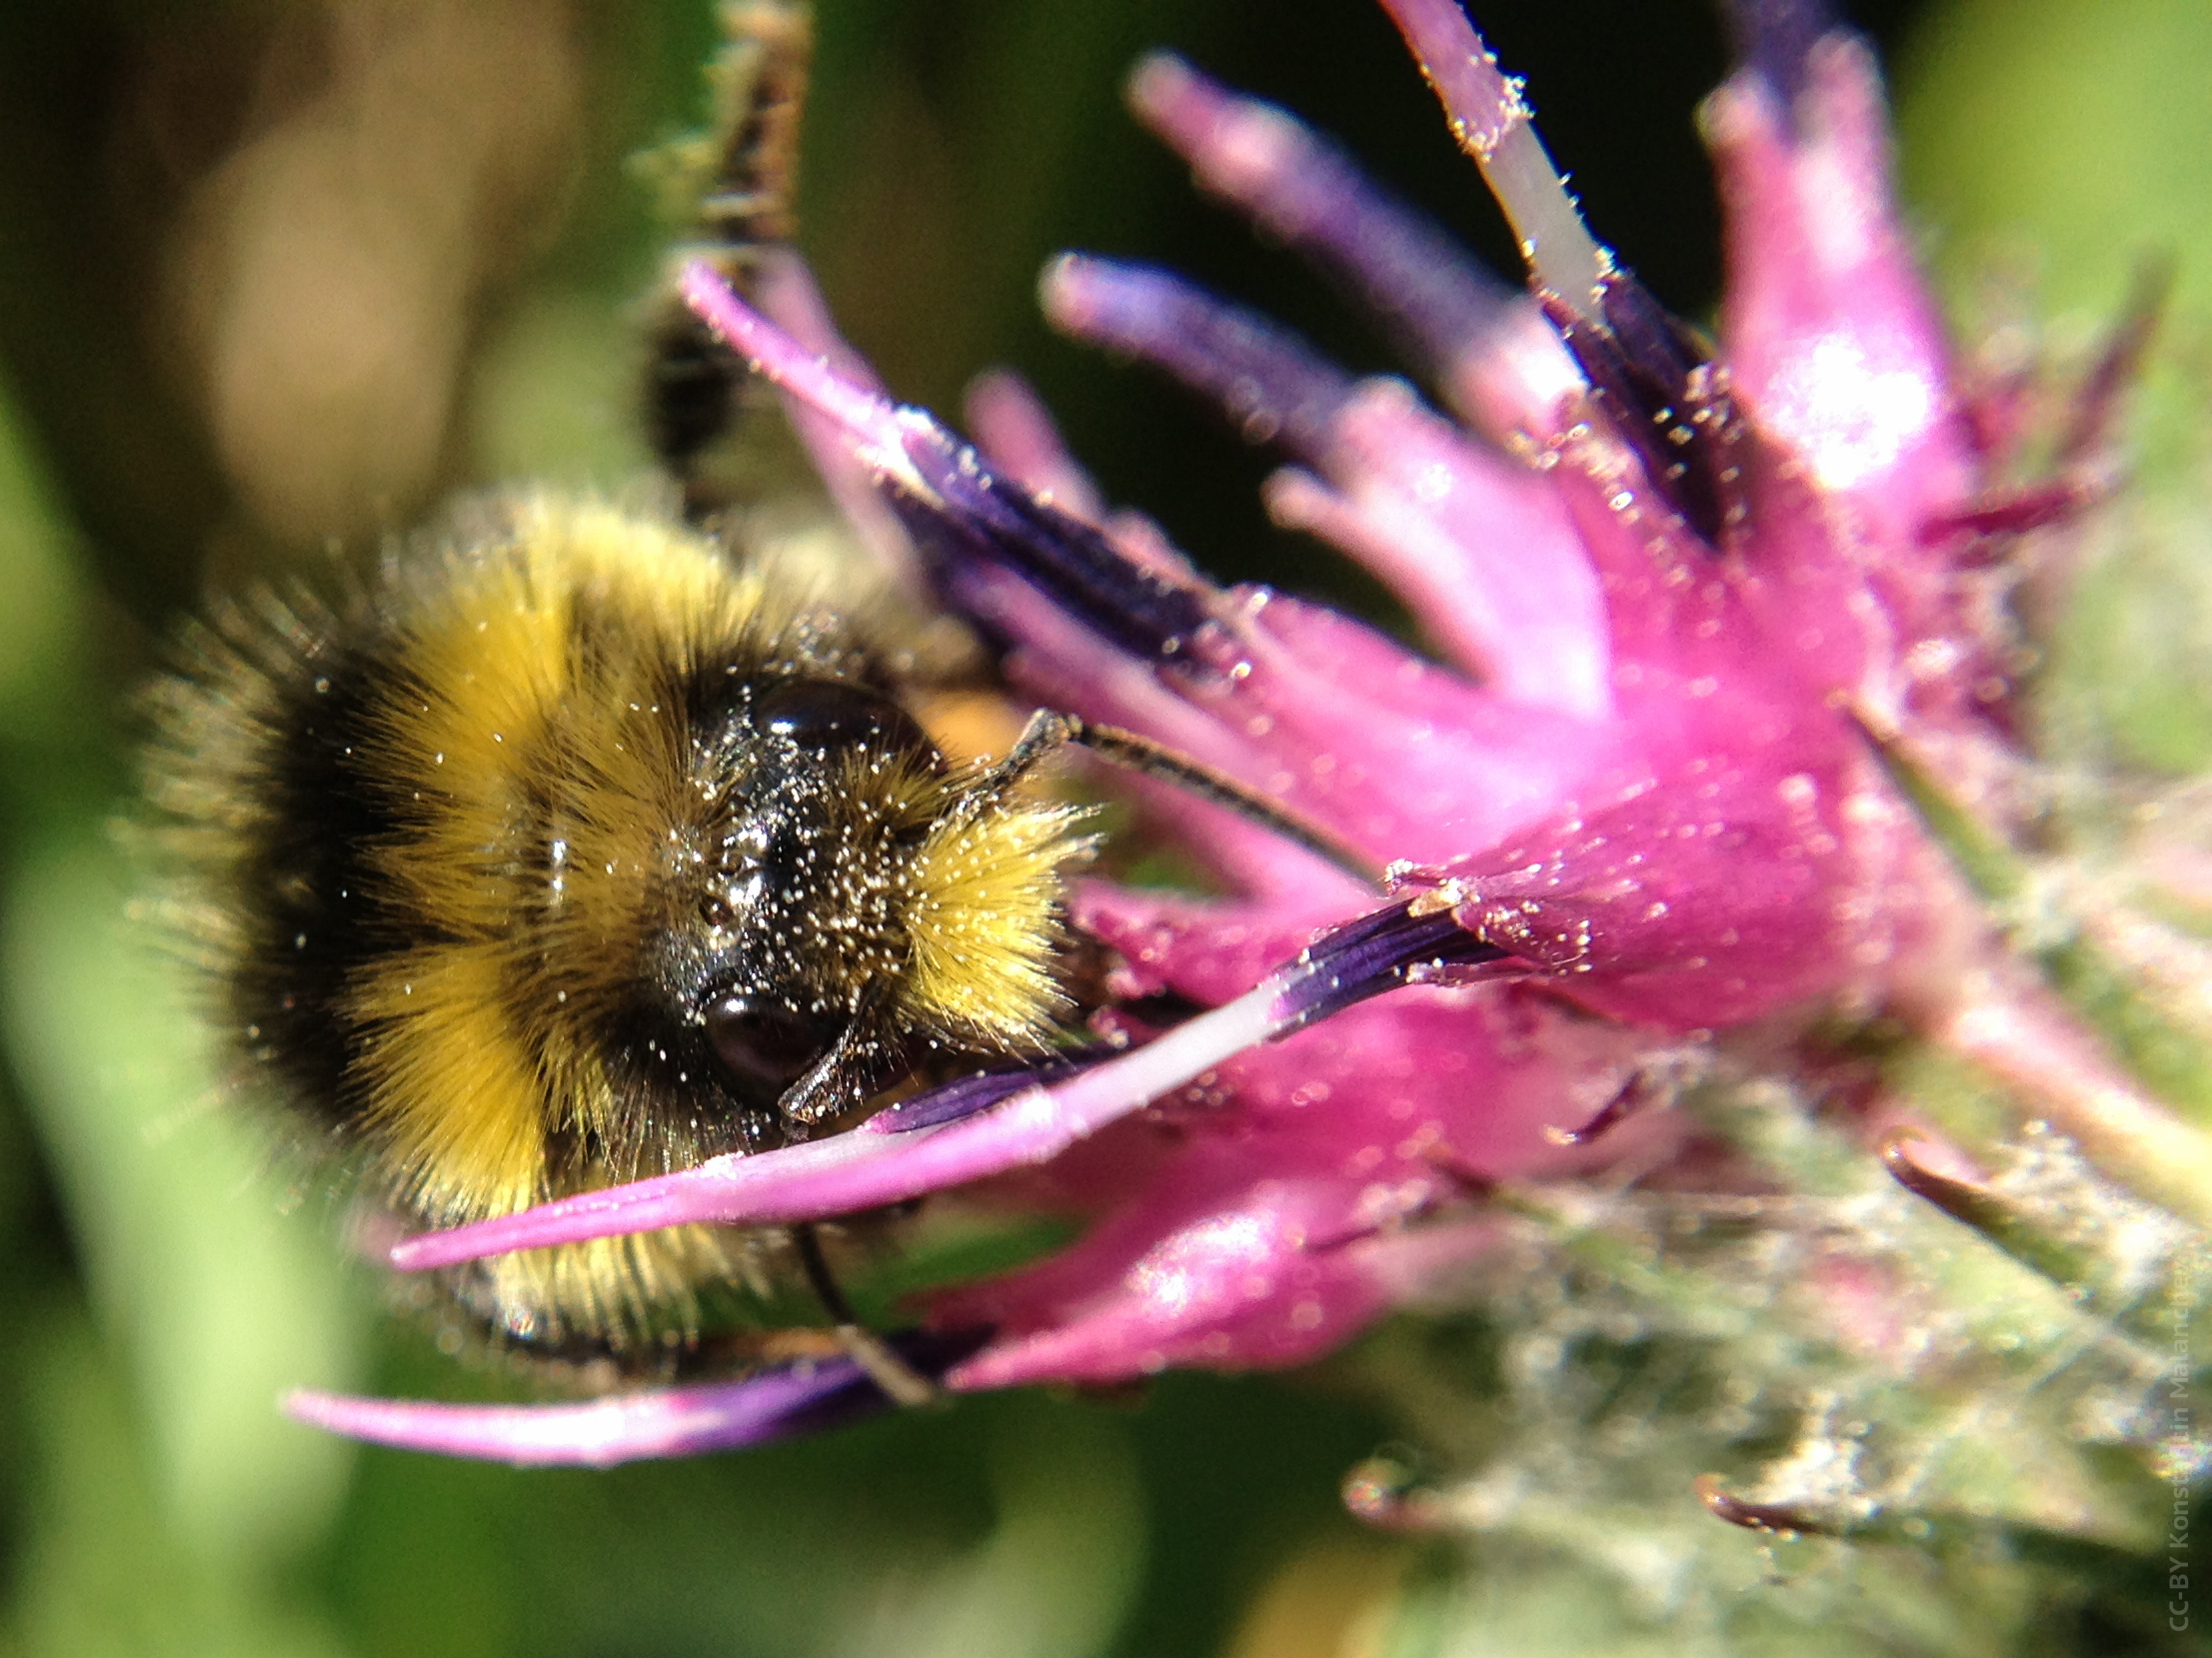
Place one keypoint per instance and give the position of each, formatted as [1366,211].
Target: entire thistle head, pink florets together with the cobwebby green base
[1693,810]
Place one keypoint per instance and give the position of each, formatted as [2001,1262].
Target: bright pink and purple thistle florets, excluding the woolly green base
[1691,607]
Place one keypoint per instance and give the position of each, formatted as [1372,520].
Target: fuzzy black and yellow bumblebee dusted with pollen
[576,846]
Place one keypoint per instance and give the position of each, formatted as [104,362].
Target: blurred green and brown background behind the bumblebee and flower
[284,273]
